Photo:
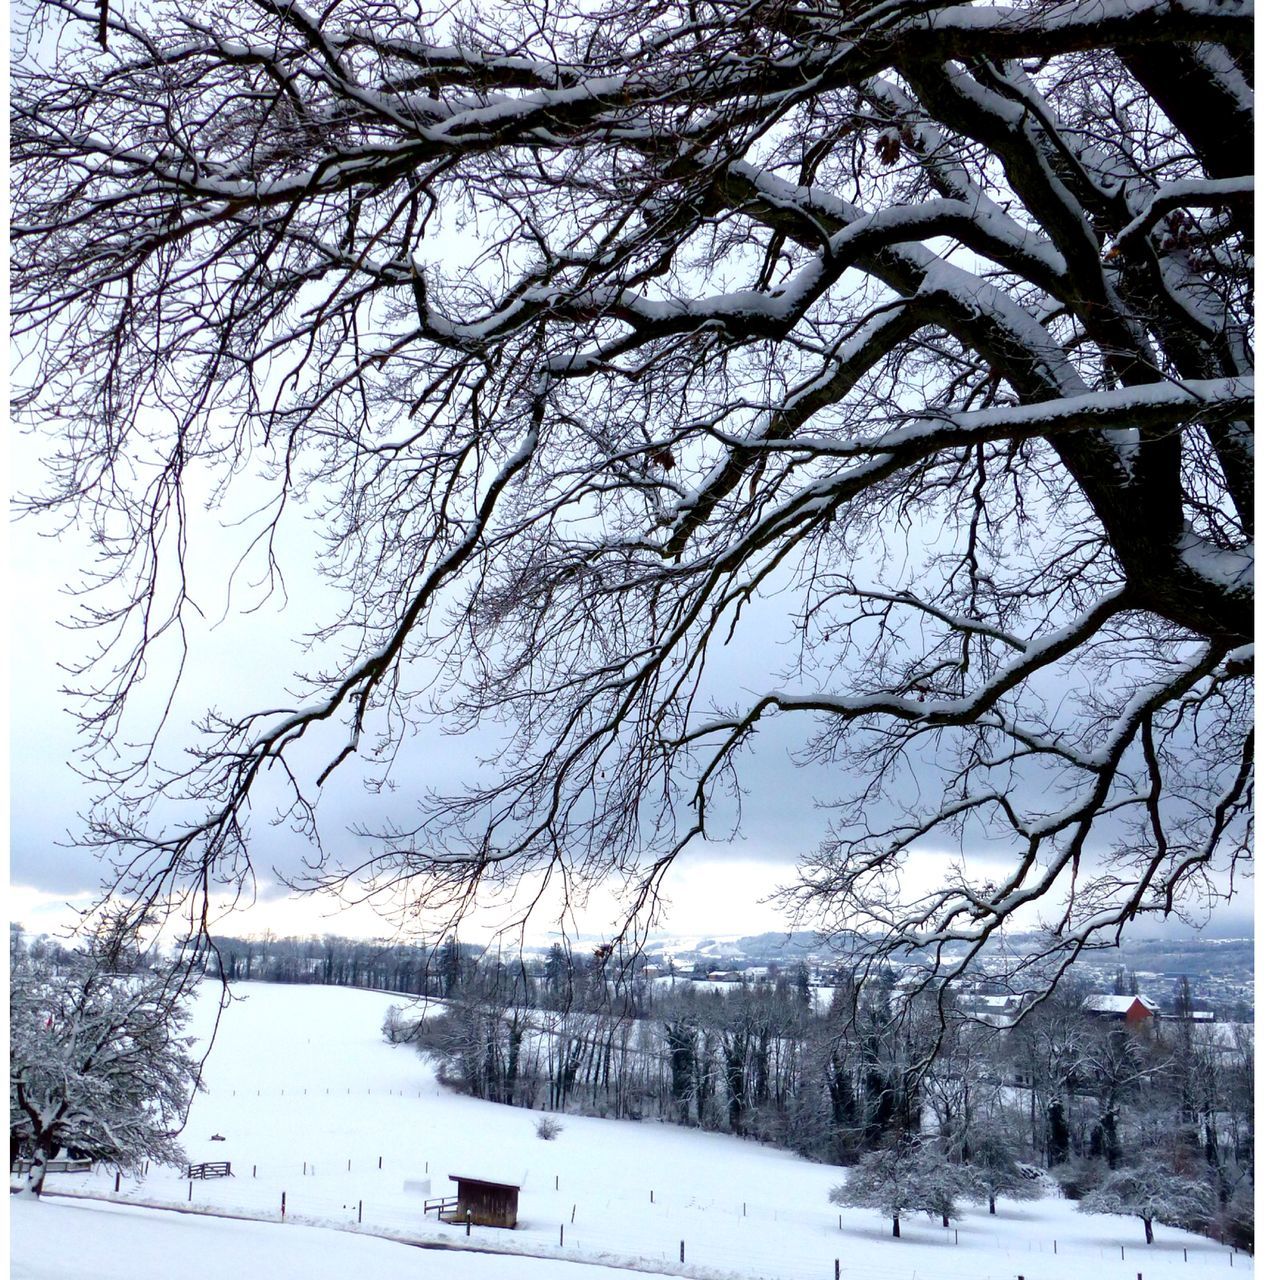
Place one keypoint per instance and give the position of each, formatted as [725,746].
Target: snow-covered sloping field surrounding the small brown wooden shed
[314,1107]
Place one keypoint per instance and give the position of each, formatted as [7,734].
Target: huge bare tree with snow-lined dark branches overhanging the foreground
[930,321]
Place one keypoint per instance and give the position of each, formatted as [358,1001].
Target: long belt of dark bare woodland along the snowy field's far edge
[860,1077]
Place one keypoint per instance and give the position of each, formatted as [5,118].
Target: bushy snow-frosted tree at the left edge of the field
[98,1062]
